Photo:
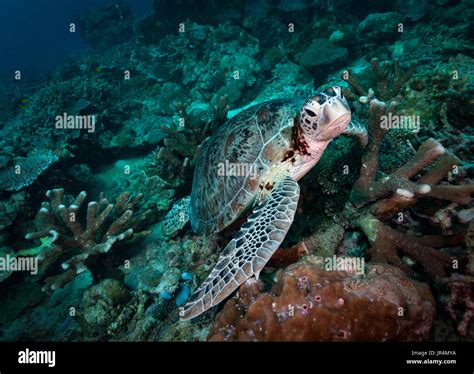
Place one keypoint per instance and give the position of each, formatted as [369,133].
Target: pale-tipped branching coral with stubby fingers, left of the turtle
[58,219]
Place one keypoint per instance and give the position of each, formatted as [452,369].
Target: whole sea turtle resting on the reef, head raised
[254,161]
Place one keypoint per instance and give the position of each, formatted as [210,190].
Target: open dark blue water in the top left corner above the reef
[34,34]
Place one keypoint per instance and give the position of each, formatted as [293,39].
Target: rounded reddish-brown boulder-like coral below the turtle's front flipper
[310,304]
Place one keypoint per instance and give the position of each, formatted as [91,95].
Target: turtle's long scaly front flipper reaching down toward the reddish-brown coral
[250,249]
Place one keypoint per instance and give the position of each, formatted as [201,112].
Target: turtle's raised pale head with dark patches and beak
[325,115]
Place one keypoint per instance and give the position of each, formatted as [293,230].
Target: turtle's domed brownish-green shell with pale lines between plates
[235,160]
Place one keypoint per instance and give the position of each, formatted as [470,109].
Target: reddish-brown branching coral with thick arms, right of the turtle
[374,200]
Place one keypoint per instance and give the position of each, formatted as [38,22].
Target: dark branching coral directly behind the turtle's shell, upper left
[174,161]
